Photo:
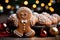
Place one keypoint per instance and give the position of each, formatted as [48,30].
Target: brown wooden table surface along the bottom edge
[33,38]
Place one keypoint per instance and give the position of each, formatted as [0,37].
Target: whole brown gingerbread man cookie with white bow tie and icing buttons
[24,15]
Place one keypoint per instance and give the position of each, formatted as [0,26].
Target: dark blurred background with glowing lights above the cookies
[8,7]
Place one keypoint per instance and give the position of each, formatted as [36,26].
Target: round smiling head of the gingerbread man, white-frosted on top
[24,13]
